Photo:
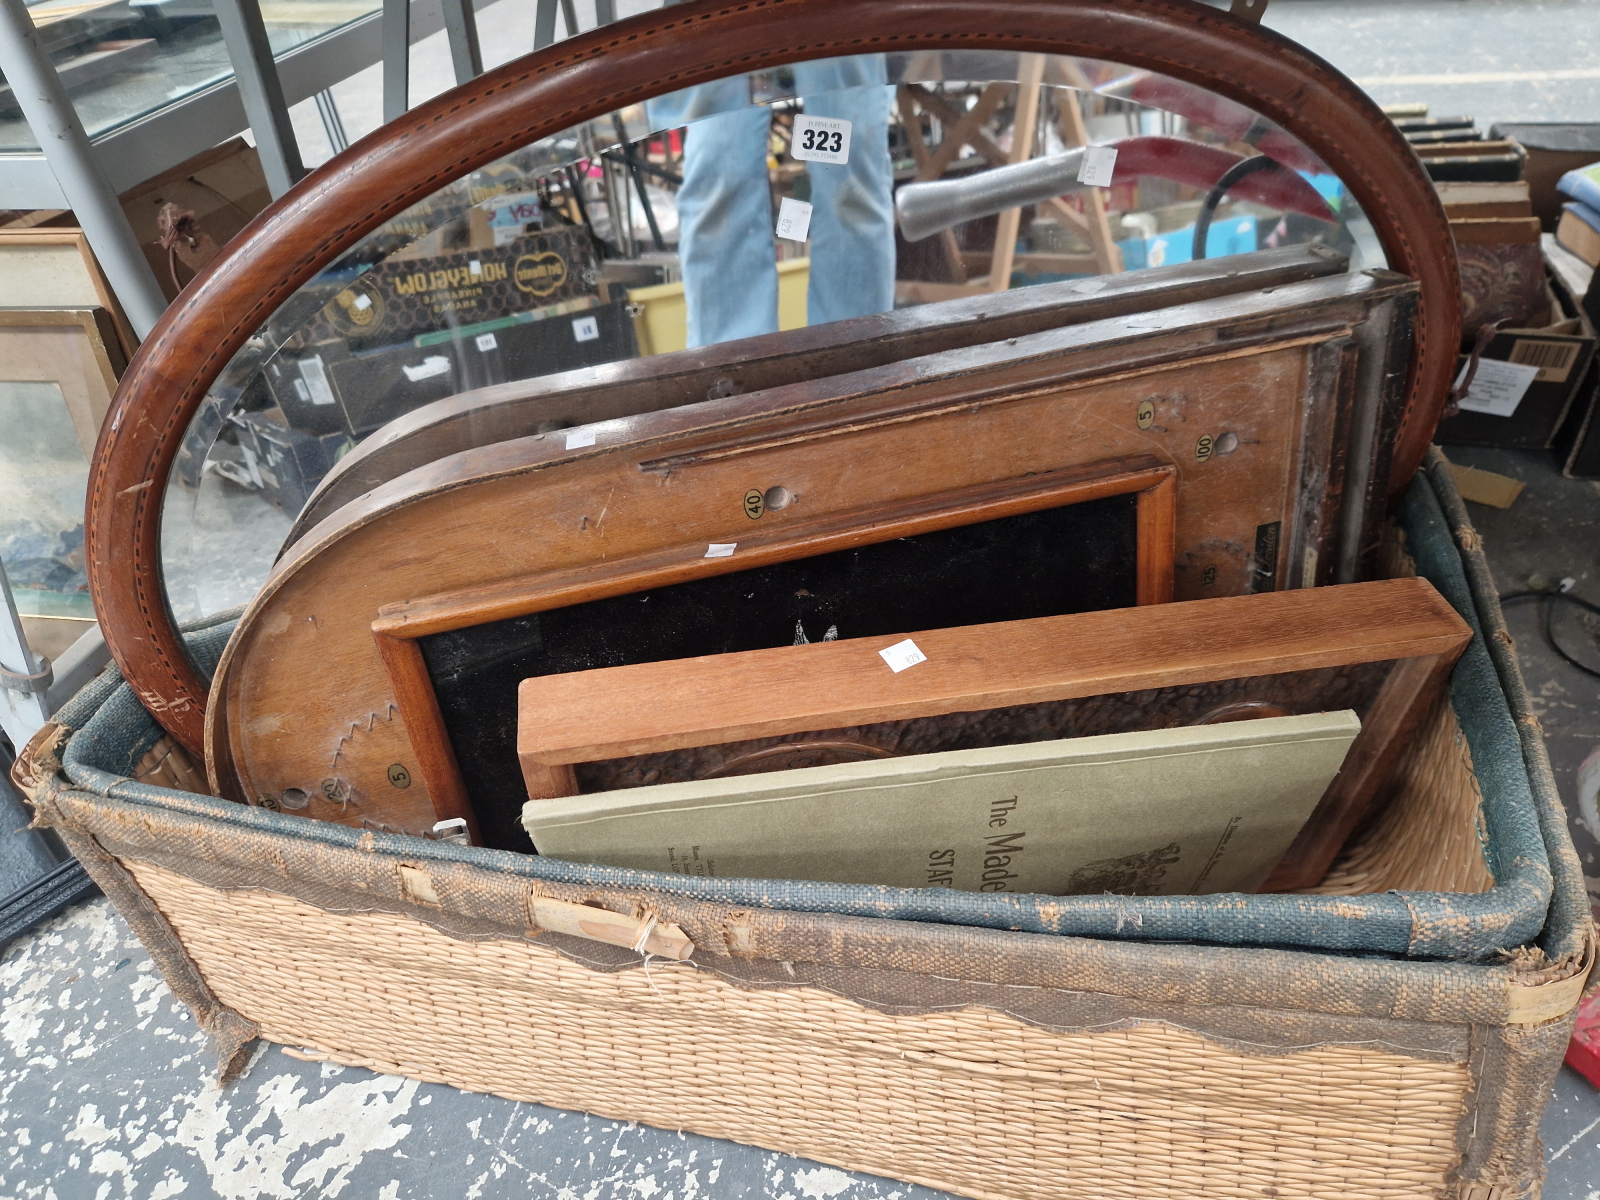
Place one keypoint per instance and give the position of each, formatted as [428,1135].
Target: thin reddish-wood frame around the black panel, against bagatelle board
[399,630]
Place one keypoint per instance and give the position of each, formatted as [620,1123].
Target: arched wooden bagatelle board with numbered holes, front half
[1268,407]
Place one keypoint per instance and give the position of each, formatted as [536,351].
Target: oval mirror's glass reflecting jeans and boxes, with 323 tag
[758,204]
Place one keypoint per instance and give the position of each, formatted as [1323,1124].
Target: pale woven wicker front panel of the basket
[972,1100]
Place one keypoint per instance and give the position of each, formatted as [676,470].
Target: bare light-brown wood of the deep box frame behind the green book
[734,698]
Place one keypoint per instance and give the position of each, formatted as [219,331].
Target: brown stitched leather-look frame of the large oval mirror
[631,62]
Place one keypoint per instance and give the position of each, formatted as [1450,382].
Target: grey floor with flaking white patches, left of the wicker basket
[106,1092]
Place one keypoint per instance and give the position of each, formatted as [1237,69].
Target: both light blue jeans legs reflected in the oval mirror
[726,214]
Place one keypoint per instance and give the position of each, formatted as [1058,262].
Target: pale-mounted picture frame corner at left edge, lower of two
[76,350]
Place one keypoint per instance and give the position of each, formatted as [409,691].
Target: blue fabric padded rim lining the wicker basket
[113,732]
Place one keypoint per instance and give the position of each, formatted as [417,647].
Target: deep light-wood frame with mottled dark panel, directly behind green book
[1282,654]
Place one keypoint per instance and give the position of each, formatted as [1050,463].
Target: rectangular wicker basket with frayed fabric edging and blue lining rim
[1319,1062]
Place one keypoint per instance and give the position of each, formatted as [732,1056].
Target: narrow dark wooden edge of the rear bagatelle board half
[812,353]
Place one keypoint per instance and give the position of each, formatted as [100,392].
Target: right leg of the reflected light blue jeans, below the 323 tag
[854,204]
